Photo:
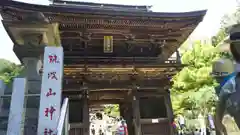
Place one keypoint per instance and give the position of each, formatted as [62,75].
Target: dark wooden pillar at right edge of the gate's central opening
[136,113]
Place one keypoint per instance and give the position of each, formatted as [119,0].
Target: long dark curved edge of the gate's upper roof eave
[79,10]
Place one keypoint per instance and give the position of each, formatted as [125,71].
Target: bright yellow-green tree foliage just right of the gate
[193,87]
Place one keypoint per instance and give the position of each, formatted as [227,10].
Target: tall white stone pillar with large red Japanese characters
[50,91]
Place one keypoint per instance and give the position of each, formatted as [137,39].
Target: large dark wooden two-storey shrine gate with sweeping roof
[112,54]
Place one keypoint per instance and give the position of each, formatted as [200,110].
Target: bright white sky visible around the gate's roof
[207,28]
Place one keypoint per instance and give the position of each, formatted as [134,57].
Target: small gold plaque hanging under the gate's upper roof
[108,44]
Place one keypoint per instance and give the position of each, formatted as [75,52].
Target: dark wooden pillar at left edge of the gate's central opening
[86,122]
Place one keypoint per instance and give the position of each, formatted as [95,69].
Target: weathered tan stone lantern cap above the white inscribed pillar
[33,34]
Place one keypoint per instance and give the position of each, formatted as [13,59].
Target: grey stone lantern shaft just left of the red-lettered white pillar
[32,94]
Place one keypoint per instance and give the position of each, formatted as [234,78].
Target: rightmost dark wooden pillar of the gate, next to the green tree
[168,105]
